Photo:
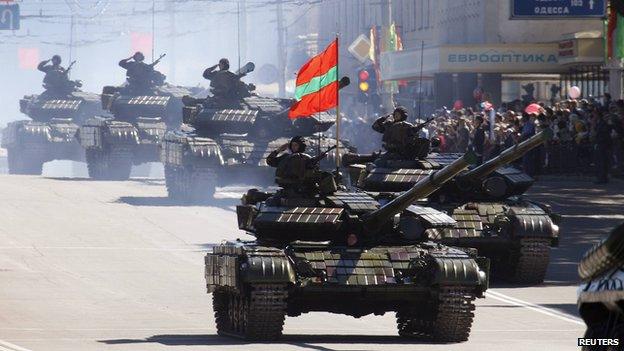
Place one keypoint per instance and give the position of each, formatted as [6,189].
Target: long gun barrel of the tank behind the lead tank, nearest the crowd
[507,156]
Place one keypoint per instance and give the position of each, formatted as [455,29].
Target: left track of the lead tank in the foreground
[257,314]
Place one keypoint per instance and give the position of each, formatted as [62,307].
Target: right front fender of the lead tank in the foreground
[458,271]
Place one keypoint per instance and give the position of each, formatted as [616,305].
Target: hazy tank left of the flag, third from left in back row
[225,141]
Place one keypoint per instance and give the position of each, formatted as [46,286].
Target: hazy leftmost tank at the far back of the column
[50,133]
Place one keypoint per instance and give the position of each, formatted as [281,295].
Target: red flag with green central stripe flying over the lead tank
[317,84]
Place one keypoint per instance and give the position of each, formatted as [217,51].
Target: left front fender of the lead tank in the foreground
[267,269]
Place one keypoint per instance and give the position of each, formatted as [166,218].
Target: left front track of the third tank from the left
[195,185]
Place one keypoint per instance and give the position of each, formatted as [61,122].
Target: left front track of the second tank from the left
[112,164]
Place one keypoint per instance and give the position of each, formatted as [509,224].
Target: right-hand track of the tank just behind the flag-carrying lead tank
[530,262]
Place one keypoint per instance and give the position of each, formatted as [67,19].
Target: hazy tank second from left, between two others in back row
[134,133]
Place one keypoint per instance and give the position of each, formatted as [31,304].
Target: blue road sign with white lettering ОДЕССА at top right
[558,9]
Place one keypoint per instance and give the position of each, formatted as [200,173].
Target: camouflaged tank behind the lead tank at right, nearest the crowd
[487,202]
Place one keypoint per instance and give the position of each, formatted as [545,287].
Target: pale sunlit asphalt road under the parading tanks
[88,265]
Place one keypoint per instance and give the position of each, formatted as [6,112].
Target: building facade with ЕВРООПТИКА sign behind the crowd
[468,44]
